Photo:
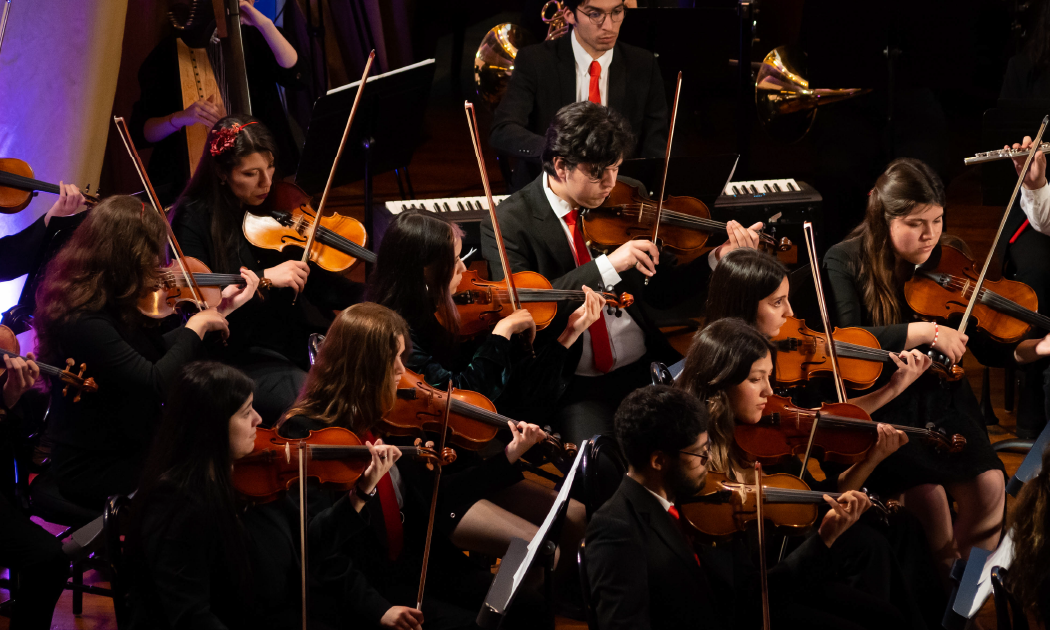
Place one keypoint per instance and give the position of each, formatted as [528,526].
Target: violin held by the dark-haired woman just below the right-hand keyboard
[803,352]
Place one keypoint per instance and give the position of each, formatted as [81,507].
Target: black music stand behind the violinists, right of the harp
[386,134]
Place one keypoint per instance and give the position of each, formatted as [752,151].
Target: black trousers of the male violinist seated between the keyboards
[590,404]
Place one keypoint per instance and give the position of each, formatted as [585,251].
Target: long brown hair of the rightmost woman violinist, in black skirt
[906,184]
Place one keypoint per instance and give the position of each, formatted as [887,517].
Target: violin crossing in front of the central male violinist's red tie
[482,304]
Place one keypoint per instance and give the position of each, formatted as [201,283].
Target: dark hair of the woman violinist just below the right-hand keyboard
[743,280]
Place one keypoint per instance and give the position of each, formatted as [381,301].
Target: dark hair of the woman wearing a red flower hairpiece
[207,193]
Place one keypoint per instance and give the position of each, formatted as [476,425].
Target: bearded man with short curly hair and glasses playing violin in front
[643,571]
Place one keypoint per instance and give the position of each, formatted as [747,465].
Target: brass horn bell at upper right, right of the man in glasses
[786,104]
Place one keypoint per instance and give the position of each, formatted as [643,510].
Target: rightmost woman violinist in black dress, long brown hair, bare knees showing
[867,272]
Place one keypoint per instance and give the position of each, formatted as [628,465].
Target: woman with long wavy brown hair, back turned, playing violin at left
[88,309]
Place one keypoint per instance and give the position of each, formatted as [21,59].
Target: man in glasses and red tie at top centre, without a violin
[587,65]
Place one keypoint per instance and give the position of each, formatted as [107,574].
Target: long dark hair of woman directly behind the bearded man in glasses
[721,358]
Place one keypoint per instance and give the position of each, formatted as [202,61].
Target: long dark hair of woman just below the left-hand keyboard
[415,264]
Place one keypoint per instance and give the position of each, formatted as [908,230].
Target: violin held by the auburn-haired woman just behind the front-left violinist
[473,418]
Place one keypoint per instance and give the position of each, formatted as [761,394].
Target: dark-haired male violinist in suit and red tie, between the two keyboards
[541,226]
